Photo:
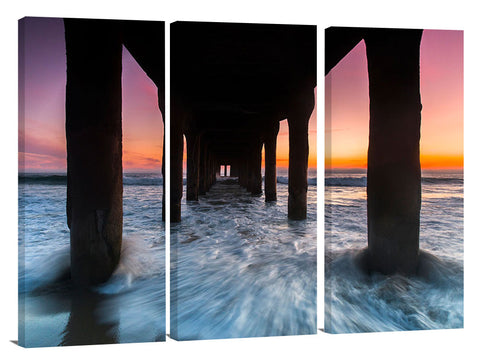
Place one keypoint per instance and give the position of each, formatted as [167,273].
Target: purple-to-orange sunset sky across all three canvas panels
[441,79]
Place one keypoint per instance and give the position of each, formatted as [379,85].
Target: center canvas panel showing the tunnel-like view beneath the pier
[243,181]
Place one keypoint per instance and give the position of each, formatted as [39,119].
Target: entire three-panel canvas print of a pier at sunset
[240,208]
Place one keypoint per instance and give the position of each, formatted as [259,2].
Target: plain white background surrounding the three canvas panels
[442,344]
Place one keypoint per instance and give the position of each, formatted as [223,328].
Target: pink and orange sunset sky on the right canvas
[441,87]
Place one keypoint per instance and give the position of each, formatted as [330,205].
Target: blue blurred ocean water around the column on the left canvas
[130,307]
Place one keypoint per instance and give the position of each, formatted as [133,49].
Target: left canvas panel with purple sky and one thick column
[91,143]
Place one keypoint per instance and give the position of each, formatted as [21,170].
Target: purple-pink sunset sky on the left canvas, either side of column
[43,133]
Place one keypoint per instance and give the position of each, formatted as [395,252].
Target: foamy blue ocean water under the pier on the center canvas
[240,268]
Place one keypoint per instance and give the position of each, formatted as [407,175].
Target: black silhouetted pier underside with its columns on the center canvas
[231,85]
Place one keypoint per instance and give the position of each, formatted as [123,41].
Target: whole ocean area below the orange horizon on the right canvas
[356,302]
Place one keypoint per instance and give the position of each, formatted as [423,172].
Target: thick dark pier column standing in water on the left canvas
[94,148]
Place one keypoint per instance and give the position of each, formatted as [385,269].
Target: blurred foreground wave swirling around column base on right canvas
[357,302]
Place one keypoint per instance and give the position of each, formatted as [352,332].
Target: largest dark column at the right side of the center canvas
[298,116]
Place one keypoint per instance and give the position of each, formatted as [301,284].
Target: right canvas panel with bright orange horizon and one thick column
[394,179]
